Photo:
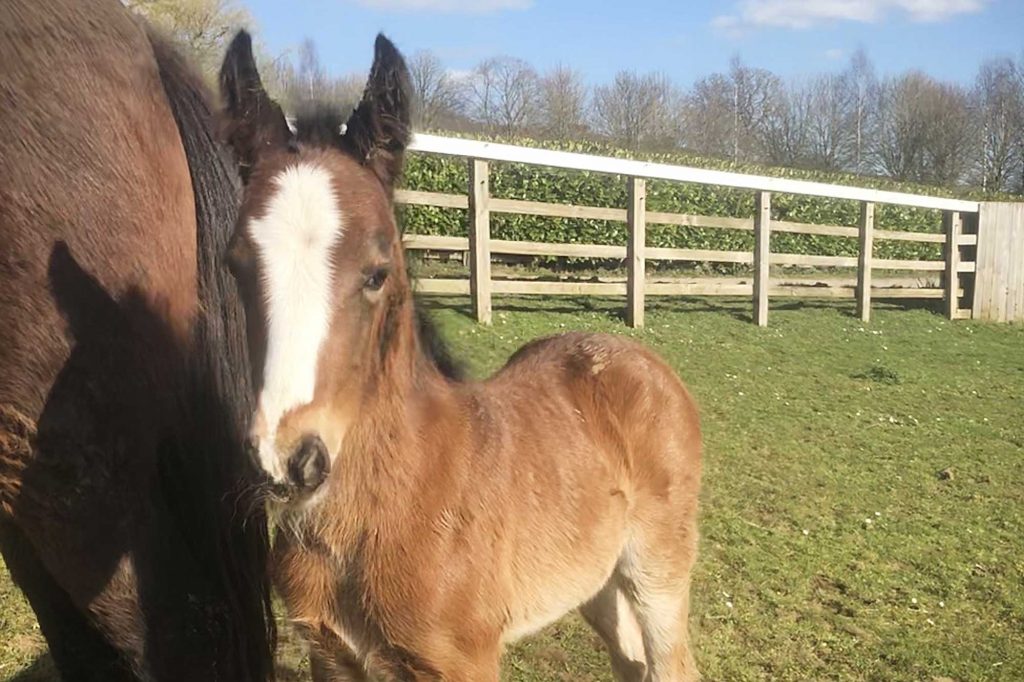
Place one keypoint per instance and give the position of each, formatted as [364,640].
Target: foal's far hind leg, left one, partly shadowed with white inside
[611,615]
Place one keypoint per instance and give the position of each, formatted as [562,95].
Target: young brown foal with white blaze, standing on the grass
[425,523]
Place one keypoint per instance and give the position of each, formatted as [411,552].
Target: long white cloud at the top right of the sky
[806,14]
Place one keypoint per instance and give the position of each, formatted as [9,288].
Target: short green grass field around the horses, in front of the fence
[864,506]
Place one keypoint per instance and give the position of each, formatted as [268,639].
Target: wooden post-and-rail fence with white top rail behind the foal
[964,283]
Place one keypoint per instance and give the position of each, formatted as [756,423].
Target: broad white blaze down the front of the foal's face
[294,240]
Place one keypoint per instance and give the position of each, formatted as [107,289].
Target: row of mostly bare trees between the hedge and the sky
[909,126]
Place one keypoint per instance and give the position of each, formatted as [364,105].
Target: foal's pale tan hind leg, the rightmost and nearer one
[658,585]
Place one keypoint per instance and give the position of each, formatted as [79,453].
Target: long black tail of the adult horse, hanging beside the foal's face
[219,515]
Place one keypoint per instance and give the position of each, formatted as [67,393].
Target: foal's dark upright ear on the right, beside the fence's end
[378,132]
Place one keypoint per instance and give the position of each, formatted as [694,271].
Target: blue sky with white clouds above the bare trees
[685,39]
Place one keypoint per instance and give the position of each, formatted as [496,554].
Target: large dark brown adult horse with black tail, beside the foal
[123,375]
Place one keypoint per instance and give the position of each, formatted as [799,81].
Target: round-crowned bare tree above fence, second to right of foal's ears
[503,95]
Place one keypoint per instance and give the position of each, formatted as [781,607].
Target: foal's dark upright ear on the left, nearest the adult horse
[254,122]
